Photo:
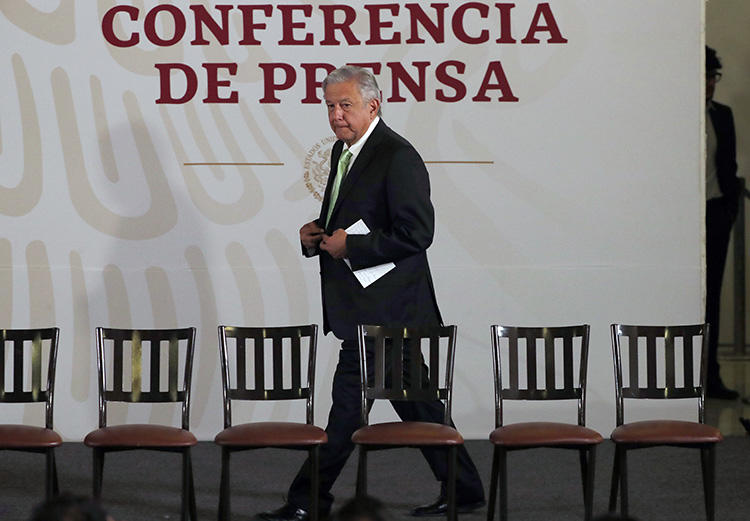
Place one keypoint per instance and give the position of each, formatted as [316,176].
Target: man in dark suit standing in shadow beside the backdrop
[722,198]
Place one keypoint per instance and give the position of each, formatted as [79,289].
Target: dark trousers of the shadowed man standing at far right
[720,215]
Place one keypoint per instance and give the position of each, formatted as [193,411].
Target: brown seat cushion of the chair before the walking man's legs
[407,433]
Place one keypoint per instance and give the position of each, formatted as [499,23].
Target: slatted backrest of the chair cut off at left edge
[33,379]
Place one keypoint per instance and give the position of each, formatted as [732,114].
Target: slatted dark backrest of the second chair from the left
[144,365]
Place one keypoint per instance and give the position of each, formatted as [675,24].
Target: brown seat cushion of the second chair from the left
[139,435]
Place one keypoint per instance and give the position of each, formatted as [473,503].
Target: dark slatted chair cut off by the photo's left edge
[40,382]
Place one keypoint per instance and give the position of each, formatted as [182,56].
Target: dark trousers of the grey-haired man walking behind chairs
[346,416]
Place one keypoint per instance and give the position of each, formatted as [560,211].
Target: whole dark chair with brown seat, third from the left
[240,346]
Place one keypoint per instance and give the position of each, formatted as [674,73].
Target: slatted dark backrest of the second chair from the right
[547,357]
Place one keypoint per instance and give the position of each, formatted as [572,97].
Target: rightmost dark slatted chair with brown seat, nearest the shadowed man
[683,376]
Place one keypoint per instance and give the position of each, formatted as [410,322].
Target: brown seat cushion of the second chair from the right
[541,434]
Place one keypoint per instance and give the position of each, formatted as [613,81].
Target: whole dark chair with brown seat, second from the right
[556,381]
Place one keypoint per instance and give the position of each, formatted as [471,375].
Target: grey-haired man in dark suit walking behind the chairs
[378,177]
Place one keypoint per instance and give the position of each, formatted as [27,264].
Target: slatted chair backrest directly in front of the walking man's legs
[392,364]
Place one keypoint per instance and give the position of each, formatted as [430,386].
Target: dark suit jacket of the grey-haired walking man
[389,189]
